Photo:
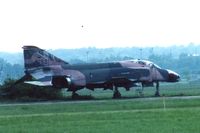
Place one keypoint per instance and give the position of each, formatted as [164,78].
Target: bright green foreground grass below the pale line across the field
[139,121]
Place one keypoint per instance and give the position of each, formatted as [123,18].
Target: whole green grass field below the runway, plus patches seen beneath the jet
[139,115]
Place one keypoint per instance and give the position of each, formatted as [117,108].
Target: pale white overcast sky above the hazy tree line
[52,24]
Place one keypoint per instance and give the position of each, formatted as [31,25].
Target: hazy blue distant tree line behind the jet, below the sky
[183,59]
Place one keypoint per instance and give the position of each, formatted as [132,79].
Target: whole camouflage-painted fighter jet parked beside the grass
[49,70]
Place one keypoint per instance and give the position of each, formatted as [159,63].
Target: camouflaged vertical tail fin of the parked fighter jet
[35,57]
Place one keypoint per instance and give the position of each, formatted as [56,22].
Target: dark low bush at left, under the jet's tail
[27,92]
